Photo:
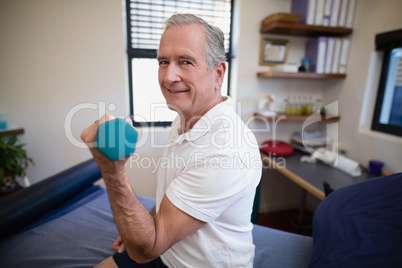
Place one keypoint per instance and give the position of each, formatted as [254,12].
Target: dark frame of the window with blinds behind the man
[133,53]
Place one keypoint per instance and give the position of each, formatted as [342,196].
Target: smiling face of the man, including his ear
[184,78]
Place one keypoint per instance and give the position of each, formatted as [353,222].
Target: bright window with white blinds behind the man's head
[144,27]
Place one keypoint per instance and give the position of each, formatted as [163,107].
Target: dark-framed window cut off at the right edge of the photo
[388,109]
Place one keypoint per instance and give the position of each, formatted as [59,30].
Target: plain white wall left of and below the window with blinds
[55,56]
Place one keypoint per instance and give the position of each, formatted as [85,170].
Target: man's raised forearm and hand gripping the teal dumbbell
[136,226]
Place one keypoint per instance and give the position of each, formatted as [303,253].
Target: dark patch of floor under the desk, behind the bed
[287,221]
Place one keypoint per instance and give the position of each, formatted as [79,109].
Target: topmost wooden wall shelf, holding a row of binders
[297,29]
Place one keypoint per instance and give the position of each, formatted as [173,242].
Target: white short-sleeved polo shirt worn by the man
[211,173]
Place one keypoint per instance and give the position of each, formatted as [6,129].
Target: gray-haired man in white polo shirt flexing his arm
[203,201]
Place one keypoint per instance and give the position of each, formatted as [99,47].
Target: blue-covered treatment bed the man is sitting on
[80,233]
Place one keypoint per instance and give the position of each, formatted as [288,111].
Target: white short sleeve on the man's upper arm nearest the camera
[205,188]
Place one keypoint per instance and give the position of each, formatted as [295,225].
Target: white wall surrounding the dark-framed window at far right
[372,17]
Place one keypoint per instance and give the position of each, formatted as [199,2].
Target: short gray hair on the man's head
[214,49]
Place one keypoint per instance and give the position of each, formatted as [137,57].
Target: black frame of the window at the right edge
[385,42]
